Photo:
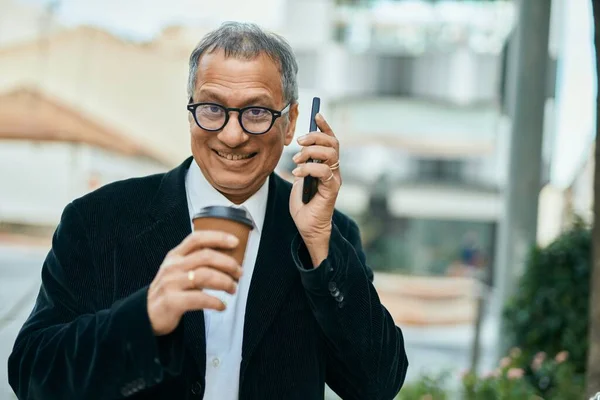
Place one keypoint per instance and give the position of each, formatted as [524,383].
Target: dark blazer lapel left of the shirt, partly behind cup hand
[170,224]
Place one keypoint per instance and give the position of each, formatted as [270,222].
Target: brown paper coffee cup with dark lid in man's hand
[234,221]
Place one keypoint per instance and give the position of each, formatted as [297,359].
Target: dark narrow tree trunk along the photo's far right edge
[593,365]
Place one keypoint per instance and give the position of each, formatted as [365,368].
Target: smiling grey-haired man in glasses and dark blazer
[133,304]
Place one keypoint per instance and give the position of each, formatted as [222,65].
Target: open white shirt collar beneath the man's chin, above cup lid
[202,194]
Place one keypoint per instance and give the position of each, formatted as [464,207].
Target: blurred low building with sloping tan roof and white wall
[51,154]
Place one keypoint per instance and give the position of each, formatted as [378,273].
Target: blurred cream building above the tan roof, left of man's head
[133,88]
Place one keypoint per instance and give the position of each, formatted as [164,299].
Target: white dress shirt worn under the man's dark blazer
[224,330]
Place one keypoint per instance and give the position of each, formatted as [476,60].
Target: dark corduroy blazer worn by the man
[89,336]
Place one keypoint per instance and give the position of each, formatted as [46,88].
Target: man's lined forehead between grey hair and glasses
[236,79]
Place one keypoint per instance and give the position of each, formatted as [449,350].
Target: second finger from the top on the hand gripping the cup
[208,258]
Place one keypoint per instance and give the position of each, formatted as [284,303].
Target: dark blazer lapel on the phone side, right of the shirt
[274,271]
